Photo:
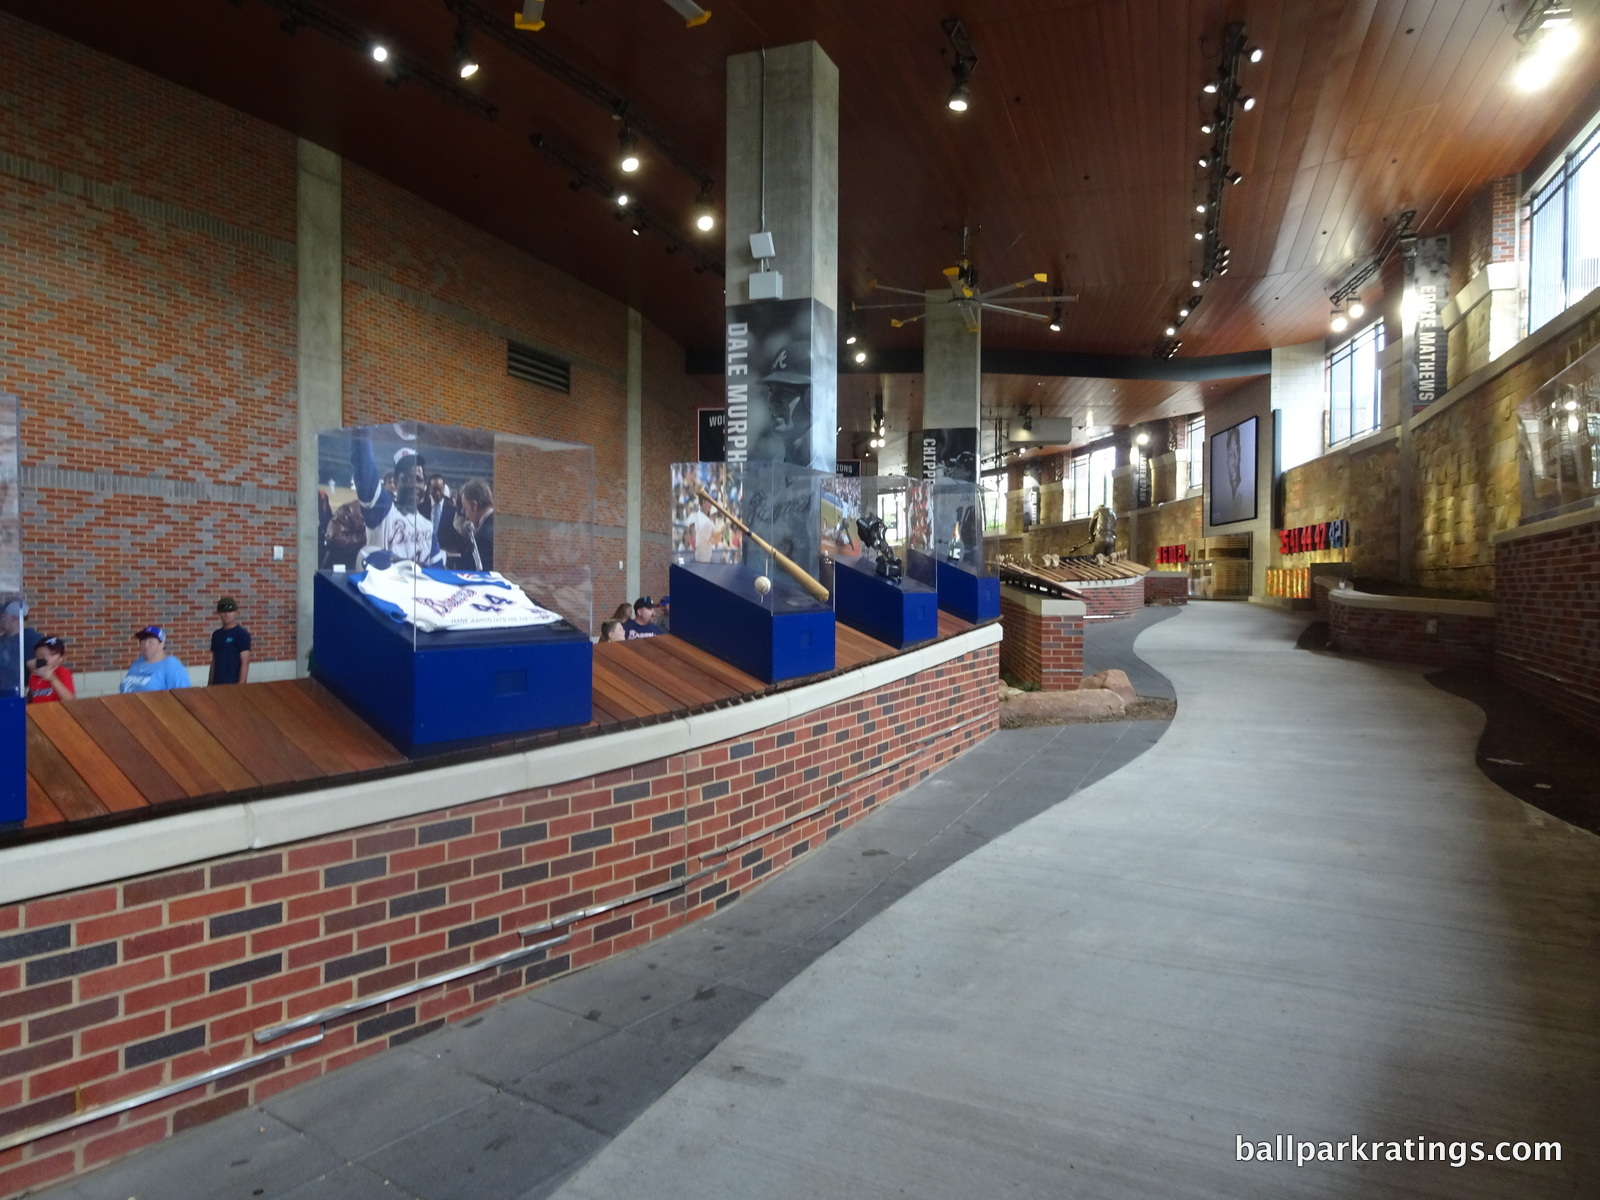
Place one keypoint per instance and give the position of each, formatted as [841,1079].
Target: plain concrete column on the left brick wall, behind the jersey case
[319,239]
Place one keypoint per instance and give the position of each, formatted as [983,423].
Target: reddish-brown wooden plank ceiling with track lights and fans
[1078,154]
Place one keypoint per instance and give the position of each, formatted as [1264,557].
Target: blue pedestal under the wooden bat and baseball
[718,609]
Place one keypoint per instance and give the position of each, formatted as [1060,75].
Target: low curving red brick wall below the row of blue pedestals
[118,990]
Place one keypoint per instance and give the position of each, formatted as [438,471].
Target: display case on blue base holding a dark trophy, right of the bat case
[870,529]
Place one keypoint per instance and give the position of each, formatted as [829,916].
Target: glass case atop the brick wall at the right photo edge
[1561,442]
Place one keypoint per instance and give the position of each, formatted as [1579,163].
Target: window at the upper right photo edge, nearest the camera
[1564,234]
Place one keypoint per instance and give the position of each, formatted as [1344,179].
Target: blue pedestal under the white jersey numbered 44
[447,689]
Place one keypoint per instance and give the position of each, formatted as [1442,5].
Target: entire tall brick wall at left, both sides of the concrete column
[150,268]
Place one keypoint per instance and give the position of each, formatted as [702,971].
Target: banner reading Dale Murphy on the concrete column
[783,383]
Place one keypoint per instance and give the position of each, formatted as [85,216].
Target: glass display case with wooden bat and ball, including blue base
[748,567]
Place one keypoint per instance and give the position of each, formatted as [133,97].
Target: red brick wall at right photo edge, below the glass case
[1548,618]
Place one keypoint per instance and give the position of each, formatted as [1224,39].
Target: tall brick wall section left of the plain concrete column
[148,334]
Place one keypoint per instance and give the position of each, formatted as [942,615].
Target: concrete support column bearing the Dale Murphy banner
[782,321]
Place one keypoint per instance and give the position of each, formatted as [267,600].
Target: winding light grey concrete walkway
[1305,913]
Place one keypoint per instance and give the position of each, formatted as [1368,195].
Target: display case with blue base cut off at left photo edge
[14,622]
